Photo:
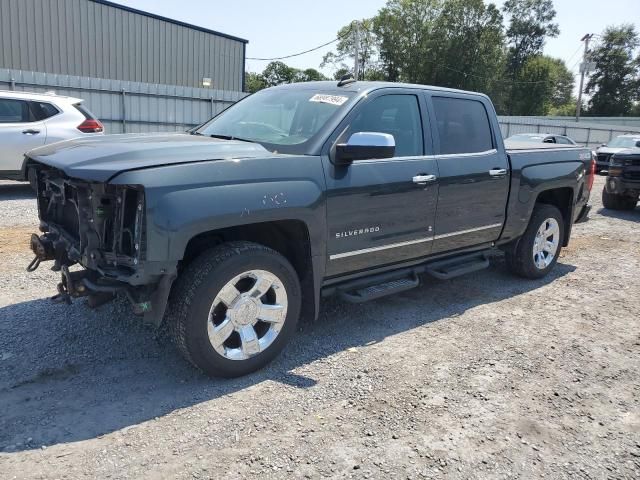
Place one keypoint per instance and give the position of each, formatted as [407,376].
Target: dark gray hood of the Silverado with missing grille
[101,158]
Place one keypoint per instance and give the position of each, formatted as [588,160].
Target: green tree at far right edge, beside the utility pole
[614,85]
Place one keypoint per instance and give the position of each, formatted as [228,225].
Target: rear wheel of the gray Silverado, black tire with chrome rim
[537,251]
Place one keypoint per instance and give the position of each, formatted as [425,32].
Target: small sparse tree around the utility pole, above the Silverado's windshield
[345,48]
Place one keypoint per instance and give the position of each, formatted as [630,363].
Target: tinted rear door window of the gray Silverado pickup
[463,126]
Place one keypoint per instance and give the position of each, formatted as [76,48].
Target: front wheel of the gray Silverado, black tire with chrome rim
[234,308]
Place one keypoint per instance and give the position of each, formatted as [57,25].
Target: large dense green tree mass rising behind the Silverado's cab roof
[453,43]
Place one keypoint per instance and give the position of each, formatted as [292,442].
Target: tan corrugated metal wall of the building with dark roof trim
[88,39]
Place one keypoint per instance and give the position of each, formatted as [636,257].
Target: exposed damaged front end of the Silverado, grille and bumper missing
[100,227]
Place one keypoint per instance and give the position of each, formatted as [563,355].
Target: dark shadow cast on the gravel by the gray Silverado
[69,373]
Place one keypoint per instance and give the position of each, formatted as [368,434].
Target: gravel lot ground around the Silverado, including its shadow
[485,376]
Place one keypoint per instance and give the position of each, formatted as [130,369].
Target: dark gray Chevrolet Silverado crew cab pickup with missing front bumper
[230,233]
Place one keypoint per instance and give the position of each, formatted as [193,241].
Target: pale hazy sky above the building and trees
[280,27]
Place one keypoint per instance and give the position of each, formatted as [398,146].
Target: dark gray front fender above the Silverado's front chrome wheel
[183,201]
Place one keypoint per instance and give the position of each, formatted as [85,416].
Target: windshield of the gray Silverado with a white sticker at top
[281,119]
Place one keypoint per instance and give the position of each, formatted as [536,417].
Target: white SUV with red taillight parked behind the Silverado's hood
[30,120]
